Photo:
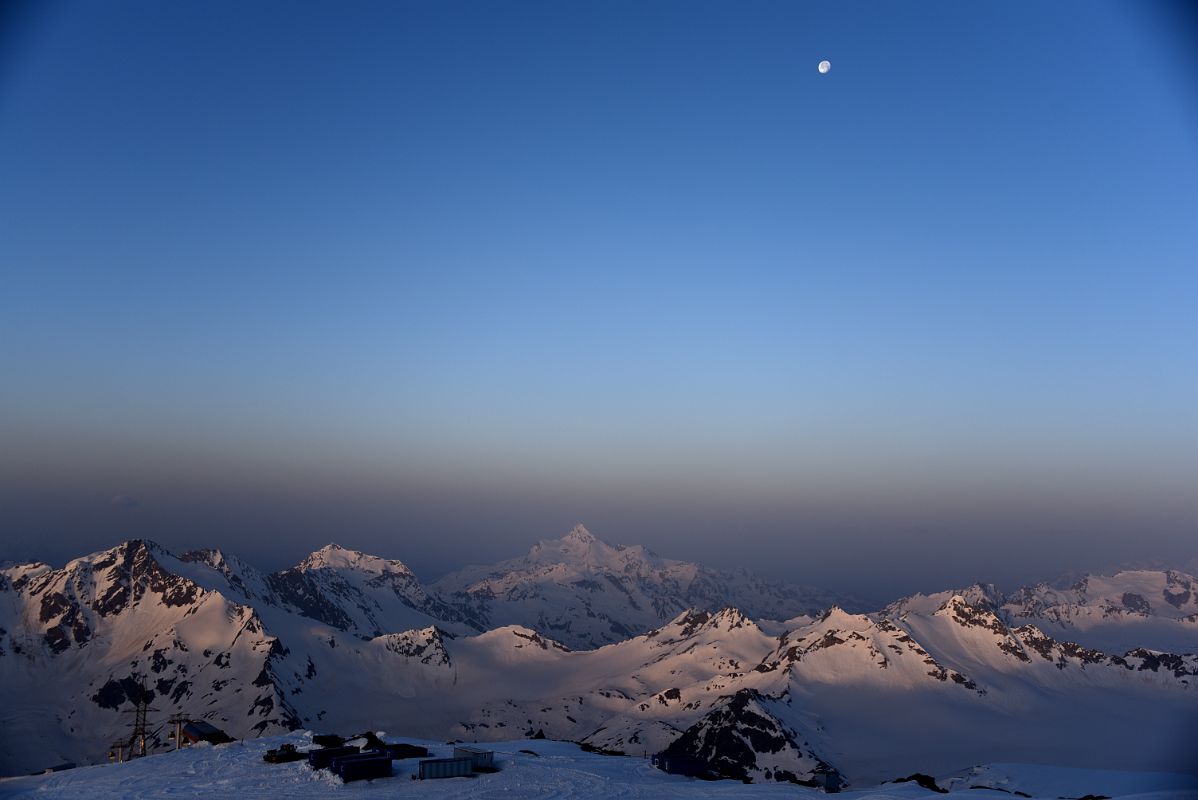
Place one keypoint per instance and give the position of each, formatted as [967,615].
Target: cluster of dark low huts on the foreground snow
[374,759]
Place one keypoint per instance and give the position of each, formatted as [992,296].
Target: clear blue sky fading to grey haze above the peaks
[440,280]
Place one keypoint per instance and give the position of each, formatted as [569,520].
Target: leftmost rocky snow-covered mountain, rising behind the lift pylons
[92,639]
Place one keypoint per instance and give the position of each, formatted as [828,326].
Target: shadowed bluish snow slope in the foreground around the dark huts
[555,771]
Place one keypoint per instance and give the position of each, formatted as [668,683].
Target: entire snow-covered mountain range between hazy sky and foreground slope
[606,645]
